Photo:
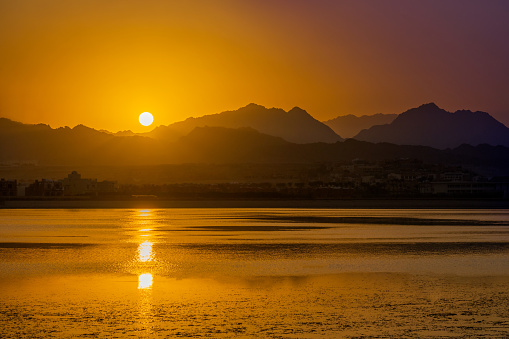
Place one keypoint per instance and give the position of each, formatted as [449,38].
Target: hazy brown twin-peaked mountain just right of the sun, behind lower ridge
[295,125]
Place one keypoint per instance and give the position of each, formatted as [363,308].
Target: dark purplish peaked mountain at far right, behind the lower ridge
[430,125]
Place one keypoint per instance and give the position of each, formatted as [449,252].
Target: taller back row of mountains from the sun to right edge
[426,125]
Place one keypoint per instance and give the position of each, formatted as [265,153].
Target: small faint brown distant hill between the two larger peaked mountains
[350,125]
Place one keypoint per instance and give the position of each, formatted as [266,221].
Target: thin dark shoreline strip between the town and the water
[342,204]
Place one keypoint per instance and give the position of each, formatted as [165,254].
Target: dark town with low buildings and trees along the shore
[357,179]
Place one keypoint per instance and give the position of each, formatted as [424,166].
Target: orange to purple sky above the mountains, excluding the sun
[102,63]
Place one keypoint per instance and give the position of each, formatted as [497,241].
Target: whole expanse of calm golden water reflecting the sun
[284,273]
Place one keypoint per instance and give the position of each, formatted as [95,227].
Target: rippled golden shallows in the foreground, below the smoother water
[346,305]
